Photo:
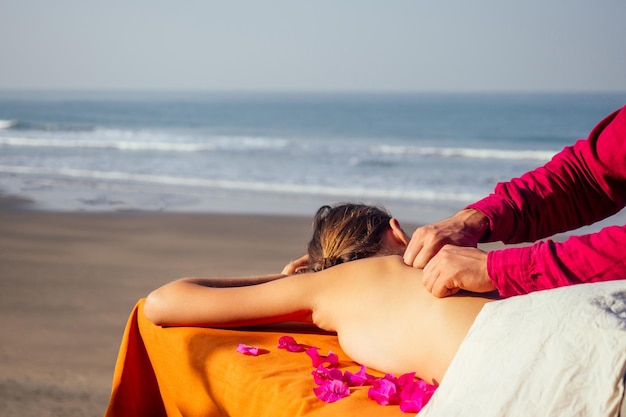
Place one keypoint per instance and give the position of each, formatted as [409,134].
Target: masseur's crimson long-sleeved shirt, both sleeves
[581,185]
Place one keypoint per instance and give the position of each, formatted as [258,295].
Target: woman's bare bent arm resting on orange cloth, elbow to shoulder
[198,302]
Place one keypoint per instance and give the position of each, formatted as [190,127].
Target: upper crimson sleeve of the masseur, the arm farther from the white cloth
[581,185]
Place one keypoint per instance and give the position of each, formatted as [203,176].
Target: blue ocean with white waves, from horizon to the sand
[423,156]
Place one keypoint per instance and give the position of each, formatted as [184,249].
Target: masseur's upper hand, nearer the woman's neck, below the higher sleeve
[465,228]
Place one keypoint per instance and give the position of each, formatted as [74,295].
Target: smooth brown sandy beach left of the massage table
[68,282]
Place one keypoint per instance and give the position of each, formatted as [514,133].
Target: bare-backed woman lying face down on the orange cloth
[384,318]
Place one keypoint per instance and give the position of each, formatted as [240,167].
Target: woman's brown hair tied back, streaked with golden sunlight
[346,232]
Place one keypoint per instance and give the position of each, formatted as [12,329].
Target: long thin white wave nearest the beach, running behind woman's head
[247,186]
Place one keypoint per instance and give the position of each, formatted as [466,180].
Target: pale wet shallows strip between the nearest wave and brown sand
[189,200]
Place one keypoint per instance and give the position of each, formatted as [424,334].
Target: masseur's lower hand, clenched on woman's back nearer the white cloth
[455,268]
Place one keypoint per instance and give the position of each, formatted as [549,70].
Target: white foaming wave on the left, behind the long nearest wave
[235,143]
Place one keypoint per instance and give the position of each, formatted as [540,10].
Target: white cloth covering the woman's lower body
[560,352]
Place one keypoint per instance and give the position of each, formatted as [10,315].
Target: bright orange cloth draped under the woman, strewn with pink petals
[192,371]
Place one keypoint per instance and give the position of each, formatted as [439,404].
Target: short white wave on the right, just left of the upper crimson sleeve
[471,153]
